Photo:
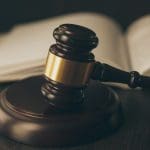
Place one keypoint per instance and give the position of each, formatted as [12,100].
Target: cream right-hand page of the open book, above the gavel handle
[138,39]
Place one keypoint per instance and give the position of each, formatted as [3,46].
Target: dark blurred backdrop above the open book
[16,11]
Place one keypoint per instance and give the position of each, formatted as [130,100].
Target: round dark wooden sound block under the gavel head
[27,117]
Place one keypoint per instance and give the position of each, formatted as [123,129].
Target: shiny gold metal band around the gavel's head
[68,72]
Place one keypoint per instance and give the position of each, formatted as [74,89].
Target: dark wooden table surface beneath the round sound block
[133,135]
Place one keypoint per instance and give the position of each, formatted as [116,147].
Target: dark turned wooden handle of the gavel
[107,73]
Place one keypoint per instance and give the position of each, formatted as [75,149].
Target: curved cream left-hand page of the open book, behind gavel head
[26,45]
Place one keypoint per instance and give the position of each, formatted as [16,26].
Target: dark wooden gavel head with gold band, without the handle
[69,63]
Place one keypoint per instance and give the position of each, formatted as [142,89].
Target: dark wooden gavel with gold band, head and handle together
[71,64]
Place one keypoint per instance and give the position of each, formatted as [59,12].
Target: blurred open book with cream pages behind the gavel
[24,49]
